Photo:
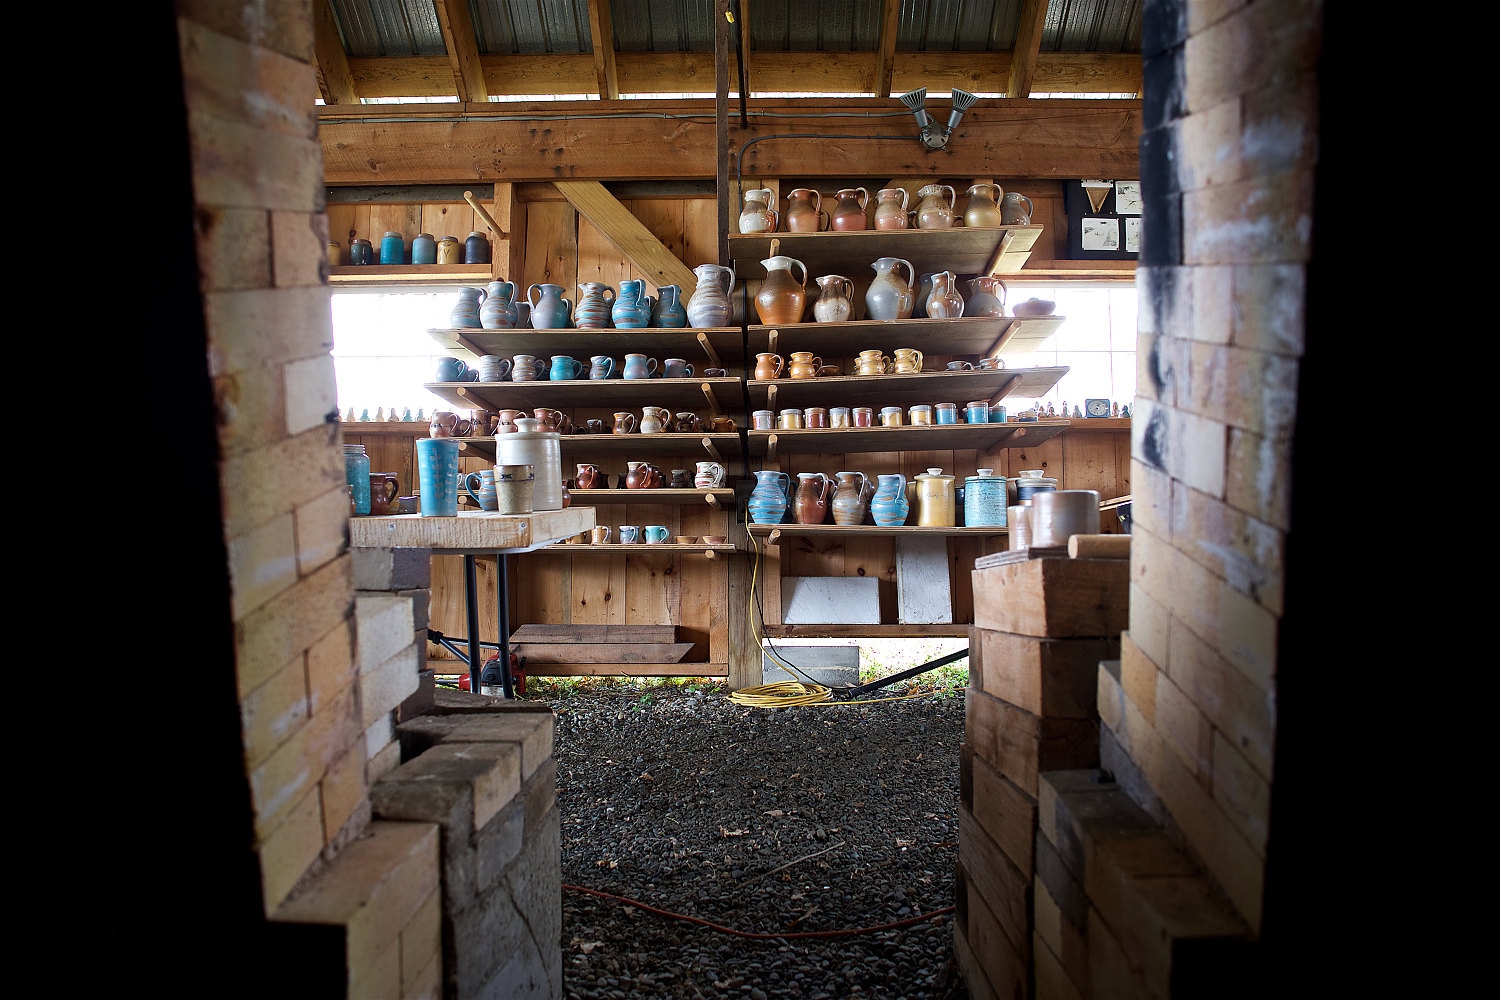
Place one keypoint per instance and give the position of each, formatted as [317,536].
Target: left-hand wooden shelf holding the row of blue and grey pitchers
[712,347]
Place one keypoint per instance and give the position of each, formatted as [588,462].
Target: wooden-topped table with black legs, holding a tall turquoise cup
[470,534]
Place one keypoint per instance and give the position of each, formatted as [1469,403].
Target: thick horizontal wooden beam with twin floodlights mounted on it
[665,140]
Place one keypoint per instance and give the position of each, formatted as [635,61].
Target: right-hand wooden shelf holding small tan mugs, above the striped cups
[902,391]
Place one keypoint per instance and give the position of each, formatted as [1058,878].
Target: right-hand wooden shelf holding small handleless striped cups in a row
[986,439]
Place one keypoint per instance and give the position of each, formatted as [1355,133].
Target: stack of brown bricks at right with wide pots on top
[1042,629]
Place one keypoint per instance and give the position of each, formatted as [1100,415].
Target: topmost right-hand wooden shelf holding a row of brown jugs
[961,250]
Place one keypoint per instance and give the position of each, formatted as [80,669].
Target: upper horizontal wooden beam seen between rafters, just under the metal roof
[775,73]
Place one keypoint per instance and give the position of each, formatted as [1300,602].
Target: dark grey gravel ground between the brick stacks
[776,822]
